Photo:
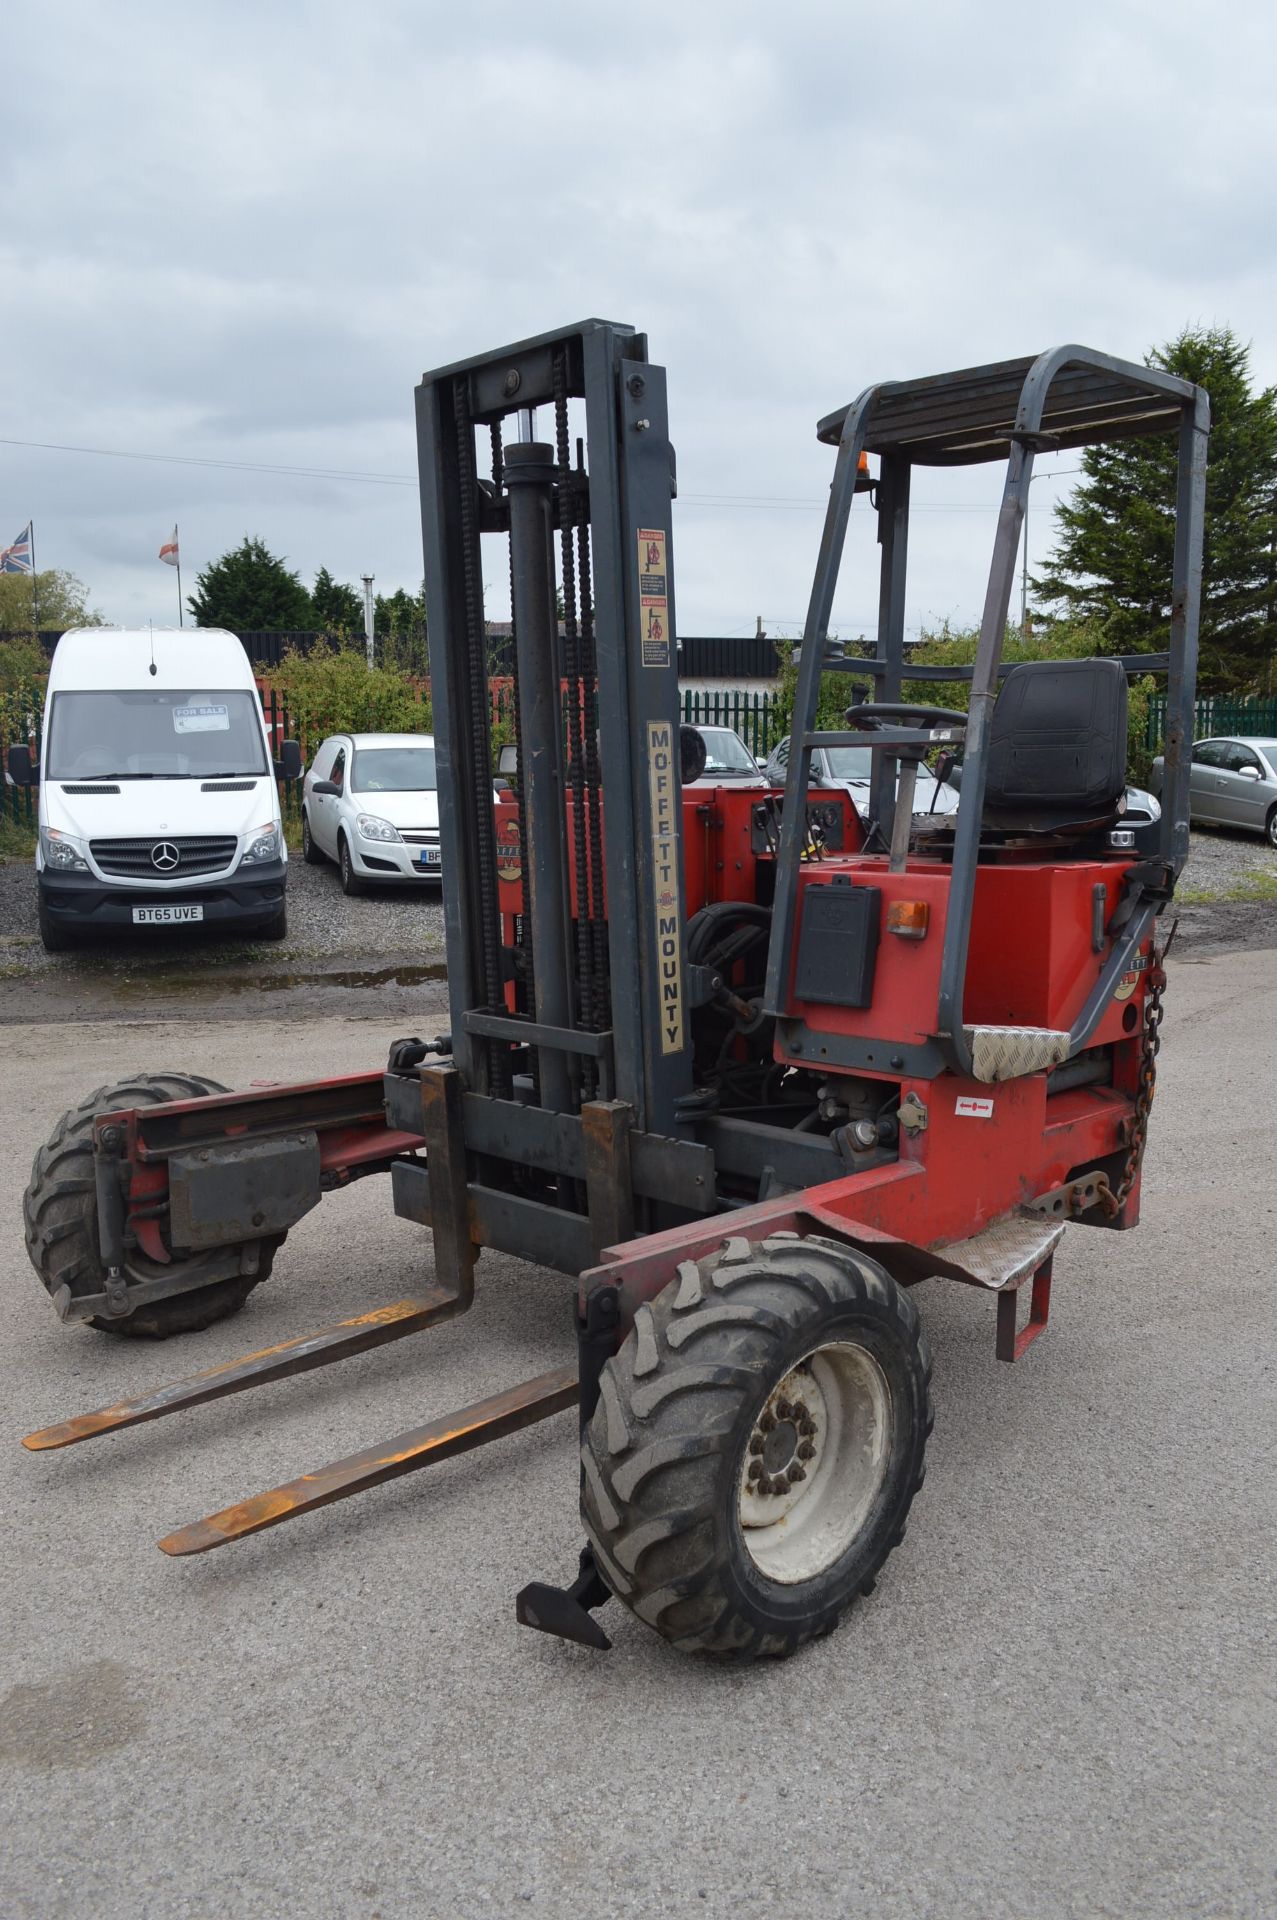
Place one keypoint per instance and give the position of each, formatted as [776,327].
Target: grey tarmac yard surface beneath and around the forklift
[1061,1700]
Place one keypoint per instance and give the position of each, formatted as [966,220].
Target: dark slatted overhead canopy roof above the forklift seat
[957,420]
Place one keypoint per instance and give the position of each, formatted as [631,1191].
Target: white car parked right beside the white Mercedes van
[372,804]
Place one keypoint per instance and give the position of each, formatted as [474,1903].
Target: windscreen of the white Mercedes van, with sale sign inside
[155,734]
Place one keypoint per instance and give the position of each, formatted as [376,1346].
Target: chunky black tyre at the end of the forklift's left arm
[60,1214]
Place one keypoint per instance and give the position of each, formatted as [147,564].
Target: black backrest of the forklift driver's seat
[1059,742]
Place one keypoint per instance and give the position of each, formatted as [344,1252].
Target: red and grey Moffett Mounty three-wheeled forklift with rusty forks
[742,1065]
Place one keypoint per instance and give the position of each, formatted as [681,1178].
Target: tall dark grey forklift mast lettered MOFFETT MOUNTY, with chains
[594,984]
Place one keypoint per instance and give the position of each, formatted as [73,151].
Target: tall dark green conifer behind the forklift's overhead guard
[1115,539]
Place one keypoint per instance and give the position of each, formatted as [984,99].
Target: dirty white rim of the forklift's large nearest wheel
[815,1464]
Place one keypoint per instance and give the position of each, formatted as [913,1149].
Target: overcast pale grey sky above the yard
[239,233]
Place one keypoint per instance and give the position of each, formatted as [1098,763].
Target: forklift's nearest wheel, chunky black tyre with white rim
[758,1445]
